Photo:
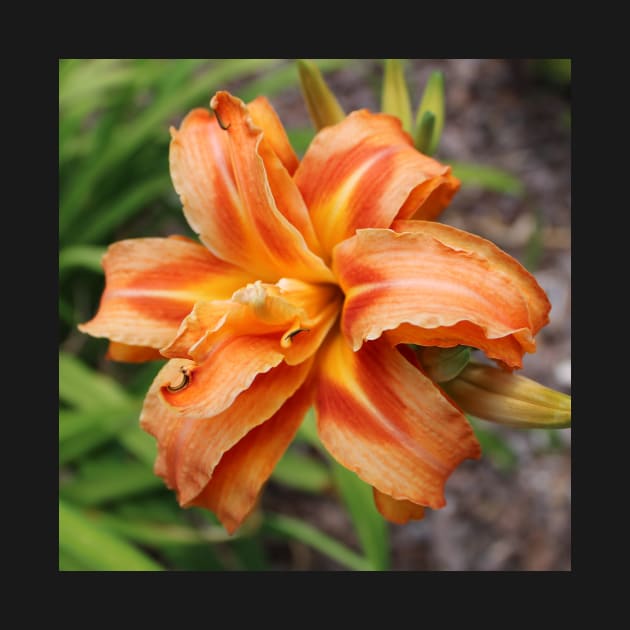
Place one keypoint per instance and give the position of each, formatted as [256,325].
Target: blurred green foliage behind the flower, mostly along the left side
[114,513]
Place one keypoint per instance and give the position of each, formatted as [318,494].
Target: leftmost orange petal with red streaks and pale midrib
[151,284]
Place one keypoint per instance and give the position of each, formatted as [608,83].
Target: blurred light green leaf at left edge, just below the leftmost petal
[82,388]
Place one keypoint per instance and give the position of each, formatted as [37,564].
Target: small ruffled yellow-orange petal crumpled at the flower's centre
[290,317]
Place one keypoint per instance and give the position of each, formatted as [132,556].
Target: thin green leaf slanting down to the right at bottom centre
[287,526]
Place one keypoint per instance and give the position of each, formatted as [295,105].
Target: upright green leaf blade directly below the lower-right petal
[370,526]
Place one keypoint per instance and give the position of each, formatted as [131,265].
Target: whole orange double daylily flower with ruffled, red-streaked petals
[310,278]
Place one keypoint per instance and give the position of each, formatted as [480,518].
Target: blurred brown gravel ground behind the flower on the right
[497,518]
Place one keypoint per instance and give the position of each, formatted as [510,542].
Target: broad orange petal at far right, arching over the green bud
[430,294]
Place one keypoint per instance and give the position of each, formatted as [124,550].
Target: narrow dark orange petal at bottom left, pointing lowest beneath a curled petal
[238,479]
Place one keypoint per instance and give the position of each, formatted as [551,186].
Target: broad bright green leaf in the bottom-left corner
[94,548]
